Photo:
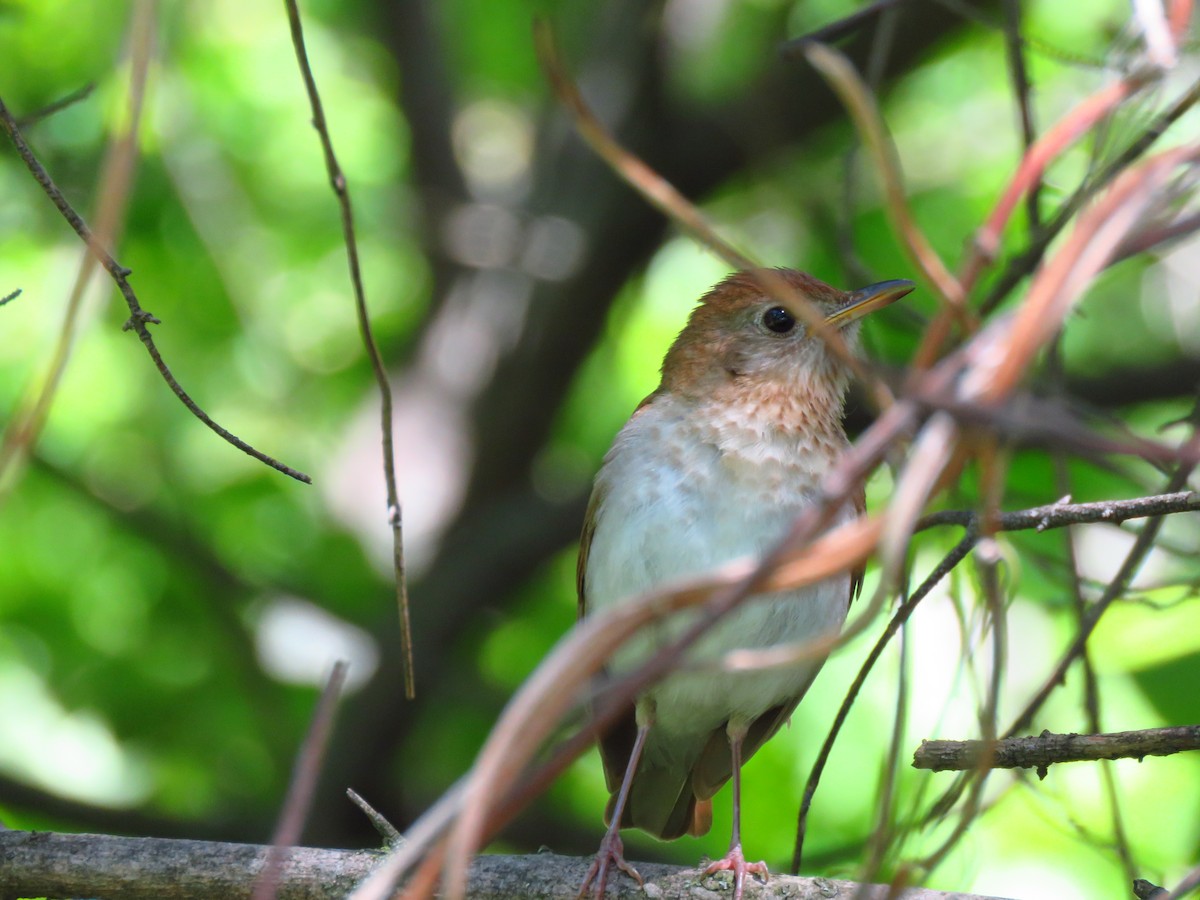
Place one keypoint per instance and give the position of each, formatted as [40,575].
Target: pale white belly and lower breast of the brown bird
[667,517]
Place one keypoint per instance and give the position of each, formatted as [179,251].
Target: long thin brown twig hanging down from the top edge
[338,182]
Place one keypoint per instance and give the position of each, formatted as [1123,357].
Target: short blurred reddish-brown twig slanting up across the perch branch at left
[304,783]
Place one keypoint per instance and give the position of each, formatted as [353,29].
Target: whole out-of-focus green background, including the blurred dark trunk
[169,607]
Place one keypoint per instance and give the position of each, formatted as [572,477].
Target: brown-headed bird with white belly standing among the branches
[716,465]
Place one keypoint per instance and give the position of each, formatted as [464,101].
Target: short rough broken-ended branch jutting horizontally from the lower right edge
[1042,751]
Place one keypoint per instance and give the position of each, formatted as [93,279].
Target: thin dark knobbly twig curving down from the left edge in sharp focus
[139,317]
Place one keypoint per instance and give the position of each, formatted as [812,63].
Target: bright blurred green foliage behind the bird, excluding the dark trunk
[141,557]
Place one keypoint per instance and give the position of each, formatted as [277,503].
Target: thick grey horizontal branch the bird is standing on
[45,865]
